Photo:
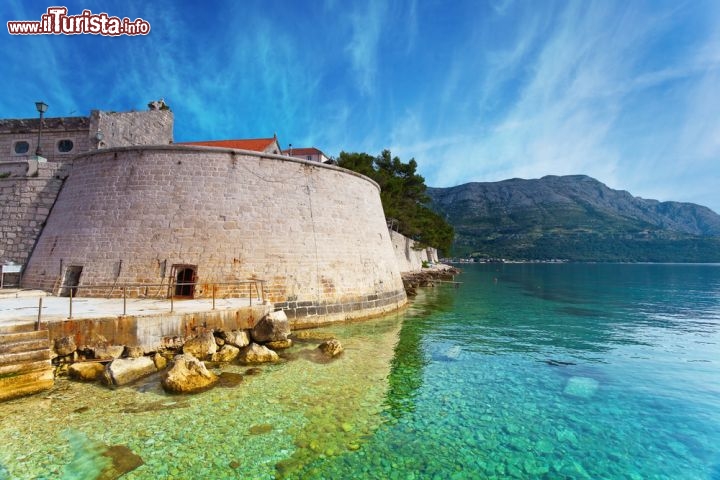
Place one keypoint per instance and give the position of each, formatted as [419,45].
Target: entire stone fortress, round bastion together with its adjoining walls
[124,206]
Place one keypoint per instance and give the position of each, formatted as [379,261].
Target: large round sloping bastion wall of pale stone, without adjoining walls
[315,233]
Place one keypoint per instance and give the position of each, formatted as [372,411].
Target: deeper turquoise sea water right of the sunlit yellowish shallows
[555,371]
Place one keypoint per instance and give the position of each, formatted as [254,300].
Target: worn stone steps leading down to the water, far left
[25,366]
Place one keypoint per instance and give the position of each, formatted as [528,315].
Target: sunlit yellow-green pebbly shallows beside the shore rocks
[277,419]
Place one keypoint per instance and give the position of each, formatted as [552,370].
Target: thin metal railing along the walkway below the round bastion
[258,285]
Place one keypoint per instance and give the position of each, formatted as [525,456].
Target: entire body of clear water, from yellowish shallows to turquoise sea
[526,371]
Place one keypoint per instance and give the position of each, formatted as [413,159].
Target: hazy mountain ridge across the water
[575,218]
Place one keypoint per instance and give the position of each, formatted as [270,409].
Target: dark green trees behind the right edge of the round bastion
[402,192]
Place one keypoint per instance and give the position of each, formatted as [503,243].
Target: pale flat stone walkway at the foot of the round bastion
[21,306]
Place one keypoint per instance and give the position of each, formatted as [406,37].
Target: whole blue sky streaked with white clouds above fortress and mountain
[625,91]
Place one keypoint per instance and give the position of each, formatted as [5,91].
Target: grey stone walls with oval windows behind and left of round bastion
[29,184]
